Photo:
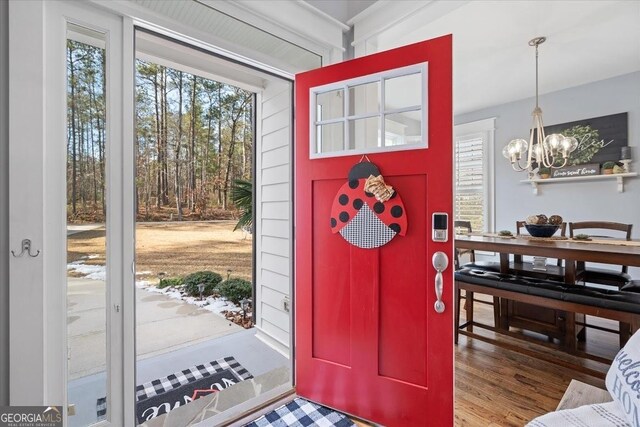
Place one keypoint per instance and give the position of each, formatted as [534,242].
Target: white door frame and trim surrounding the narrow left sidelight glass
[37,130]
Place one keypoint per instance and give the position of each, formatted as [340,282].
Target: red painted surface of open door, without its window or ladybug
[368,340]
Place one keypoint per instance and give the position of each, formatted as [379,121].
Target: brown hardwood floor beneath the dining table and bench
[500,387]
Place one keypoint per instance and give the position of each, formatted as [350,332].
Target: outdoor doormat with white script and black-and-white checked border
[162,395]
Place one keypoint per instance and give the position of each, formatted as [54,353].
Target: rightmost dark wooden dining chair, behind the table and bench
[603,276]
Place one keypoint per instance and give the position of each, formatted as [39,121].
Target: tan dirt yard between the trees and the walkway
[176,249]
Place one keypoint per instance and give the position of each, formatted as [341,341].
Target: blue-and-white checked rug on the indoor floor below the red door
[302,413]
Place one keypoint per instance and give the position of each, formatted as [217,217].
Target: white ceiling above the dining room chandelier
[587,40]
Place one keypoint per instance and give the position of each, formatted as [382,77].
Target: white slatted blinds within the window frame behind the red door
[471,181]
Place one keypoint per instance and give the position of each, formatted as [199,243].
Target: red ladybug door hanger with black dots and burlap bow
[367,212]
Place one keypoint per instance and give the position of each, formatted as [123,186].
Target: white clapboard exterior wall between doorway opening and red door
[273,215]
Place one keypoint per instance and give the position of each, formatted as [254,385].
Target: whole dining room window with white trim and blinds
[473,174]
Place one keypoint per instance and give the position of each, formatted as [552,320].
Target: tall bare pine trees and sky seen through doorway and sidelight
[194,139]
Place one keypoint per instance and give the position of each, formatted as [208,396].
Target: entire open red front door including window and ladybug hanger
[368,339]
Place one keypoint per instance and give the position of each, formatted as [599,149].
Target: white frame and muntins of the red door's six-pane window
[315,143]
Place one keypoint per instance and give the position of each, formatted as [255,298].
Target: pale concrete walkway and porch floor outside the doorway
[171,336]
